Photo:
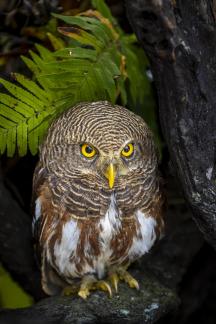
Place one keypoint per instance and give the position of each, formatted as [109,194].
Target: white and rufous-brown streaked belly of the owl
[96,246]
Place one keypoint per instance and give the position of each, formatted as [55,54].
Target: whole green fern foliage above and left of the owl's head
[96,61]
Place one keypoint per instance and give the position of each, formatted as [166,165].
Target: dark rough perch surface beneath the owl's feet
[151,302]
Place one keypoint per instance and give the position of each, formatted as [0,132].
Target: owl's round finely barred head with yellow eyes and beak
[103,144]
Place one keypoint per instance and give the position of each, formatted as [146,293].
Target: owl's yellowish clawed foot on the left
[91,283]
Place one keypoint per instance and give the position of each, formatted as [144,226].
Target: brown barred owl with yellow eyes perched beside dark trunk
[97,199]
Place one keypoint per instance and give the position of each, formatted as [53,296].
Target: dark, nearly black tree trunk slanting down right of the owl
[179,37]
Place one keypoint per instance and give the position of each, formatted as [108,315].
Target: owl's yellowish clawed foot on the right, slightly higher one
[122,274]
